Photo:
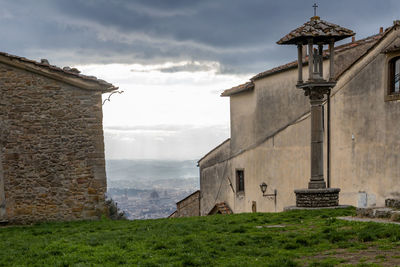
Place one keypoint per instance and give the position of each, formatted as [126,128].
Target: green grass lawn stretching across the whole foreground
[295,238]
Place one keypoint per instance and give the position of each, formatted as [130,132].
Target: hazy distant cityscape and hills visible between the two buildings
[155,187]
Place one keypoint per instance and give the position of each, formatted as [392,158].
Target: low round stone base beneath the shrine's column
[317,198]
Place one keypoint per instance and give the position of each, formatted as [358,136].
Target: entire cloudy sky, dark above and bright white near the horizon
[172,58]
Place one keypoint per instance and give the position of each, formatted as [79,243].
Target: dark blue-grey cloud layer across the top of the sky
[241,35]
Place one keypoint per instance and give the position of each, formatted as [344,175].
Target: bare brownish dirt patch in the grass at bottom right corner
[373,256]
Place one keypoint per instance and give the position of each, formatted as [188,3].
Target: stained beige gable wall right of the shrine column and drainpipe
[366,130]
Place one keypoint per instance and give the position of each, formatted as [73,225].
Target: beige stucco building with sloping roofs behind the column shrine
[270,133]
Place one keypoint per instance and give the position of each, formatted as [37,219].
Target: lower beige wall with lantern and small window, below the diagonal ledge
[281,162]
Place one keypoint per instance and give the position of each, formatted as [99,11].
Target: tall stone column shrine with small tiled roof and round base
[320,33]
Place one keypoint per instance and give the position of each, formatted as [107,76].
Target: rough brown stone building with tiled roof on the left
[52,163]
